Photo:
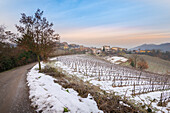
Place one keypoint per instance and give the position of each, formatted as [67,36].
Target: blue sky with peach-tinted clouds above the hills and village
[125,23]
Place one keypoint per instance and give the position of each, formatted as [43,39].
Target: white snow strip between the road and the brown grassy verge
[50,97]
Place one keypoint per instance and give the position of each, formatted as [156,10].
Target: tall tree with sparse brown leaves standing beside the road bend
[37,35]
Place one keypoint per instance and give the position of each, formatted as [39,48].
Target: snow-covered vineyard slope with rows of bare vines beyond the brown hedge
[114,78]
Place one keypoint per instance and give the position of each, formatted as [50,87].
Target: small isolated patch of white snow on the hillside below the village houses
[116,59]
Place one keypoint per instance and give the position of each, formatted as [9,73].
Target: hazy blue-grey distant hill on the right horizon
[162,47]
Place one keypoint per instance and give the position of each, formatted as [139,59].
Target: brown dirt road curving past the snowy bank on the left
[14,91]
